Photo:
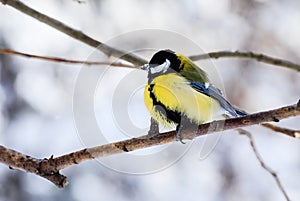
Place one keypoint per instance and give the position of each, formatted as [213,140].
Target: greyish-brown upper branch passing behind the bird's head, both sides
[132,58]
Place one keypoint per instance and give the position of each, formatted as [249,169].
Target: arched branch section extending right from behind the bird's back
[250,55]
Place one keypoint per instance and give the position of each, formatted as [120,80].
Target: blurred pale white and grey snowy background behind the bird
[37,99]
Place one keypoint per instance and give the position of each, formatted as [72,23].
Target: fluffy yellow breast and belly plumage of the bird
[175,93]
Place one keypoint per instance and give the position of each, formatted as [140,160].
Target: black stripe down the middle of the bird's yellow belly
[162,109]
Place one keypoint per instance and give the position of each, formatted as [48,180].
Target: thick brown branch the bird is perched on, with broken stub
[49,168]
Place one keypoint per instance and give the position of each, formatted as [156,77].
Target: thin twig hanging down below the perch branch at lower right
[262,163]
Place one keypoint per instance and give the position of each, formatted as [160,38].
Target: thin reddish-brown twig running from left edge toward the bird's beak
[62,60]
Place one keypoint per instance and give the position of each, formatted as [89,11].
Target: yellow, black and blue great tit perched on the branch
[179,93]
